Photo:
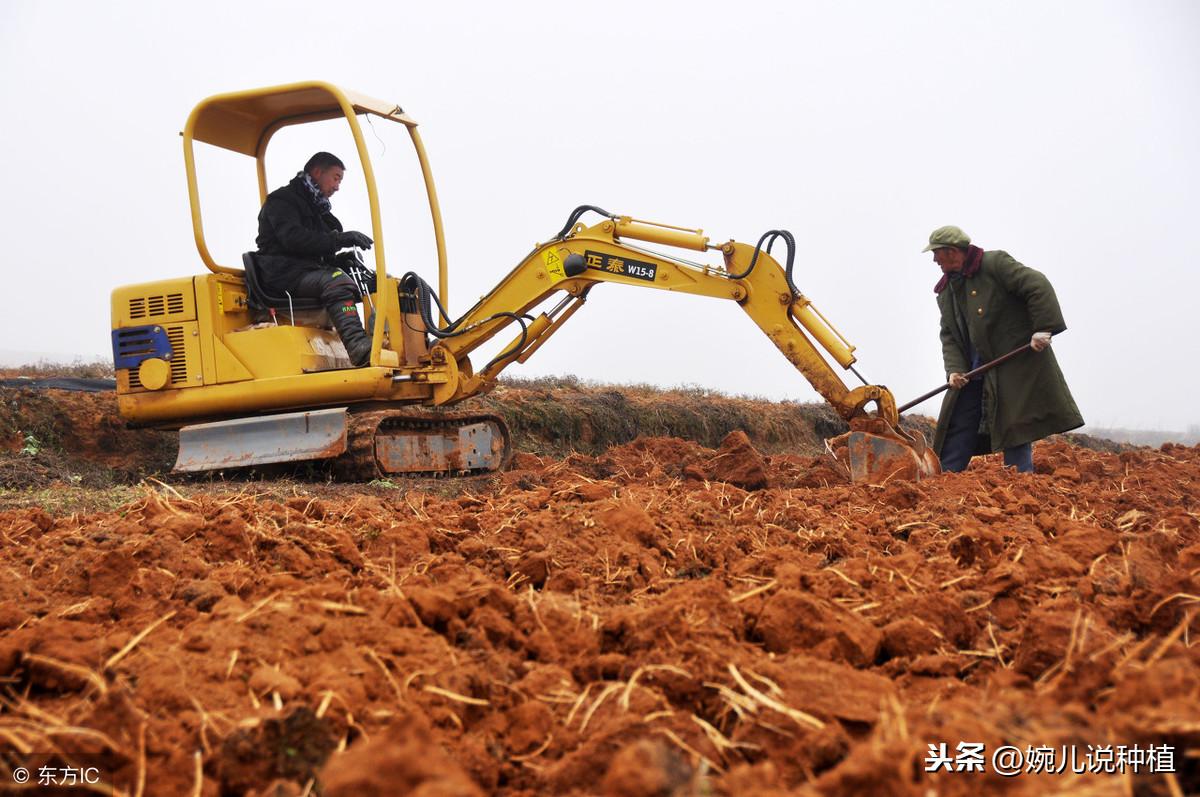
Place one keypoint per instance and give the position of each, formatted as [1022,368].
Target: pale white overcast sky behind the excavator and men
[1067,134]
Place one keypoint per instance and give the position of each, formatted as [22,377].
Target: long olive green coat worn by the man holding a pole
[1025,399]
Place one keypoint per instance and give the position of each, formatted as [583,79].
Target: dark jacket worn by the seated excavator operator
[295,235]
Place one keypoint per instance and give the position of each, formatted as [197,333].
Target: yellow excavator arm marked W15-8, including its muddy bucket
[581,257]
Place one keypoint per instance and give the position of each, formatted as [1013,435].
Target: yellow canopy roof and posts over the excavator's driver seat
[245,122]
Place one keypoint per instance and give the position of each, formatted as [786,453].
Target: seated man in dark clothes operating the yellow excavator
[298,238]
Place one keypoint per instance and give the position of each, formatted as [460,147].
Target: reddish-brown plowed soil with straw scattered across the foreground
[658,619]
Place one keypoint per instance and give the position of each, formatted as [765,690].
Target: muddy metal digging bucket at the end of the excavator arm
[877,453]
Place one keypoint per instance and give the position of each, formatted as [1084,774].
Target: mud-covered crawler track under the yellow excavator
[387,444]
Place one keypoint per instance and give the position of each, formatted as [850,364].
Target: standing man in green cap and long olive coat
[991,305]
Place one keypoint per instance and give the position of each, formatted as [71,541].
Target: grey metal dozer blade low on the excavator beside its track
[291,438]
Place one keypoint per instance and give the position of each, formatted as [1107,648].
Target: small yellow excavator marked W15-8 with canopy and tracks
[249,379]
